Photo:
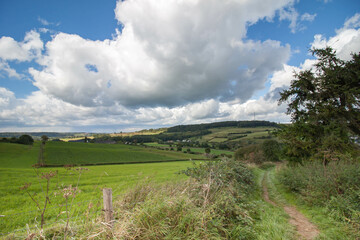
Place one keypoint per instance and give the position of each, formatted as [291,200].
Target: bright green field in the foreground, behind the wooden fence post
[15,170]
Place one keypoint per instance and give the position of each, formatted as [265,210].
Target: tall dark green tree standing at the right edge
[324,106]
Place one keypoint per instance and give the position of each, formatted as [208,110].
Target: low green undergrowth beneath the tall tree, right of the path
[335,186]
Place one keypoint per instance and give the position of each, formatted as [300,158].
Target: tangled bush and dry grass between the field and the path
[212,204]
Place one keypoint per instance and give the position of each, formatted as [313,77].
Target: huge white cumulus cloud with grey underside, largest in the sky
[169,53]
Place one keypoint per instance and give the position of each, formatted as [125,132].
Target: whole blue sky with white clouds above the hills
[112,66]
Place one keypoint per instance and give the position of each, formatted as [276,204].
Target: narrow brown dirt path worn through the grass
[305,229]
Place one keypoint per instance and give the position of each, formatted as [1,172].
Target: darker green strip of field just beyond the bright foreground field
[62,153]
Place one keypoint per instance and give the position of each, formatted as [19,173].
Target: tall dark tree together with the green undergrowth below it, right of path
[320,144]
